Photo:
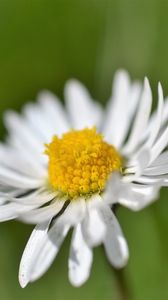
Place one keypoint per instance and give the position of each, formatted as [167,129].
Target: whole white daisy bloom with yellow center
[63,168]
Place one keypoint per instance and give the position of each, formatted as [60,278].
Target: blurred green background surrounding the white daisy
[44,43]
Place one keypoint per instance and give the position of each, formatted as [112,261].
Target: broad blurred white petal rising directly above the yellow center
[82,110]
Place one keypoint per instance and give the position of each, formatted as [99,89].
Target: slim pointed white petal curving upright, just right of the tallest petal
[141,119]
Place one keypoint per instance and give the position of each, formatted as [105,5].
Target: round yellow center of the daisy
[80,162]
